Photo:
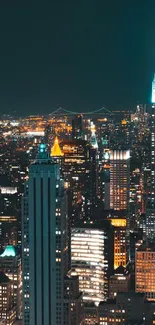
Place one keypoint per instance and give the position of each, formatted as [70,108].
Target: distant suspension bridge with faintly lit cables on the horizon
[61,111]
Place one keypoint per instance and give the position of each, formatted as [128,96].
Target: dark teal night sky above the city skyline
[77,54]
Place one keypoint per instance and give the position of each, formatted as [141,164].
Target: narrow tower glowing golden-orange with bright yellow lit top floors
[120,252]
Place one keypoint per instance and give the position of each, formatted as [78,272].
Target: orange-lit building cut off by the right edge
[145,270]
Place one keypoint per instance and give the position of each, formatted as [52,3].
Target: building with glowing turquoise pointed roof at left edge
[10,264]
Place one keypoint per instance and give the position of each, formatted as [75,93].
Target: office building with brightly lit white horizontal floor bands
[92,259]
